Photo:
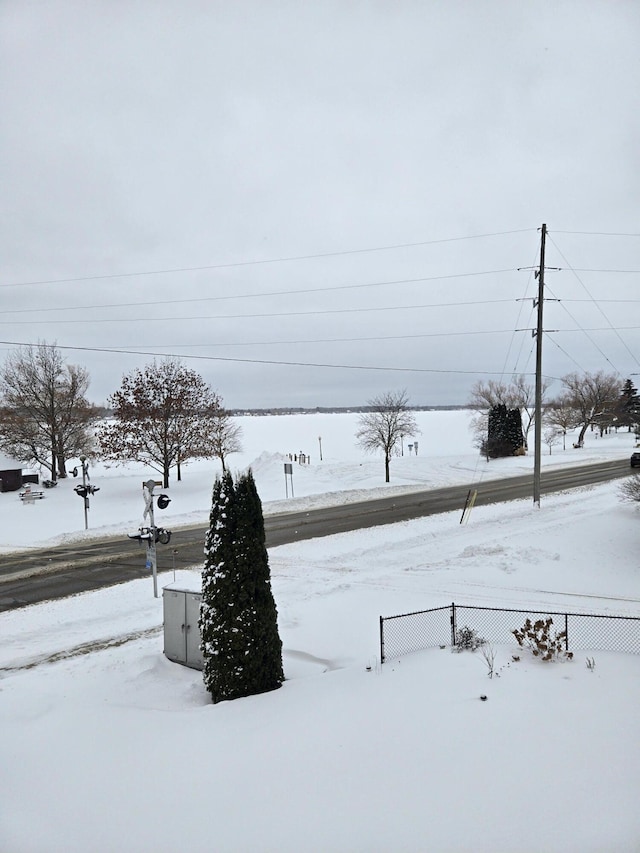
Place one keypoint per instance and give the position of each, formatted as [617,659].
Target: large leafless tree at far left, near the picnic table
[45,416]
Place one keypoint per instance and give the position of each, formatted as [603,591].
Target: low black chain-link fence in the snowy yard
[440,626]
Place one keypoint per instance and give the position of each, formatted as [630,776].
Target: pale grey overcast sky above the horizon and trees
[312,203]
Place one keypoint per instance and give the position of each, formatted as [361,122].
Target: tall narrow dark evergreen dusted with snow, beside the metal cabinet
[241,647]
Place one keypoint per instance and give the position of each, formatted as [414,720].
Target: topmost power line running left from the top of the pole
[264,261]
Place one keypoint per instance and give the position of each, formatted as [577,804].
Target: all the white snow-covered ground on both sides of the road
[106,745]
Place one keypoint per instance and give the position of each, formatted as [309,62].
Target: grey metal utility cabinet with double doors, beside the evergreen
[181,631]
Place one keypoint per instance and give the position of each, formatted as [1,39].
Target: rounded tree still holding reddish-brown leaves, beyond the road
[164,415]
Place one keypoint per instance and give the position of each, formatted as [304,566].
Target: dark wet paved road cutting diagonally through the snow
[30,577]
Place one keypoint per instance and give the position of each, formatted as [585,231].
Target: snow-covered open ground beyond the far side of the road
[446,456]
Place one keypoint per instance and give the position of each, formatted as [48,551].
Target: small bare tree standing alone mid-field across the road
[383,428]
